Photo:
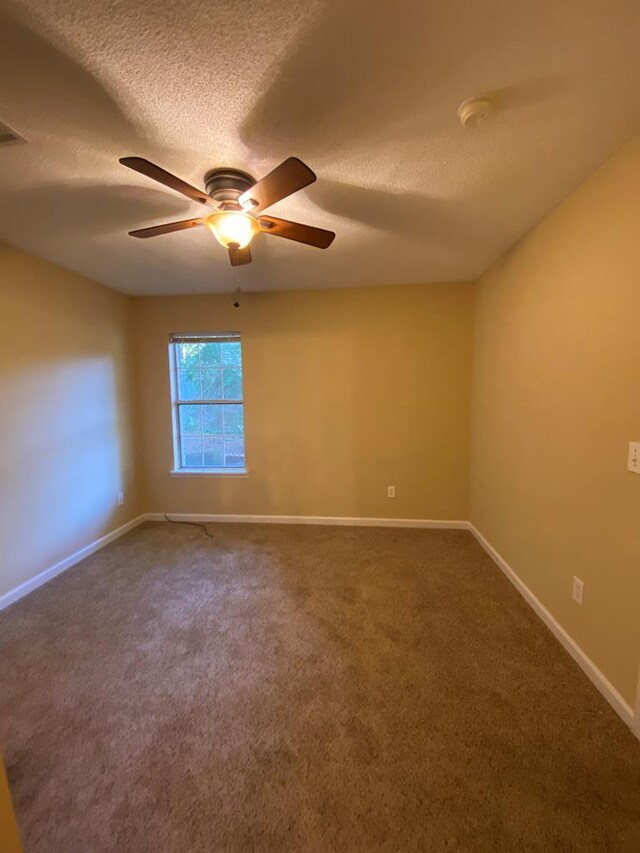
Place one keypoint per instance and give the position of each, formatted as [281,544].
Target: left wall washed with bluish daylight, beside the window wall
[66,446]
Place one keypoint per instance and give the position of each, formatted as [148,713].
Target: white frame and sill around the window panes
[175,339]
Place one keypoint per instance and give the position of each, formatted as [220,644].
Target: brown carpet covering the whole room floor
[282,688]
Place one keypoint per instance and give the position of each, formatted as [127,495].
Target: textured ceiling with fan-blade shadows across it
[365,92]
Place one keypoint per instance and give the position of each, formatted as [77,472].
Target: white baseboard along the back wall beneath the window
[433,524]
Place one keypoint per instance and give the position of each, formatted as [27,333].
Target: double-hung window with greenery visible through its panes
[208,410]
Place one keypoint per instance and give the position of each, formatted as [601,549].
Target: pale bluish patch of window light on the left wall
[66,444]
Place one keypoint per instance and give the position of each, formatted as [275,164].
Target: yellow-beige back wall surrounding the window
[346,392]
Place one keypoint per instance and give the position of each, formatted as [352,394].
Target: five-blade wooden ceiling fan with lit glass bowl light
[237,200]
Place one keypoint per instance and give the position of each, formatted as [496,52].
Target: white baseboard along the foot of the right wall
[617,702]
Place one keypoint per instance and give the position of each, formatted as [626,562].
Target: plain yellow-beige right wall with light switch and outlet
[556,399]
